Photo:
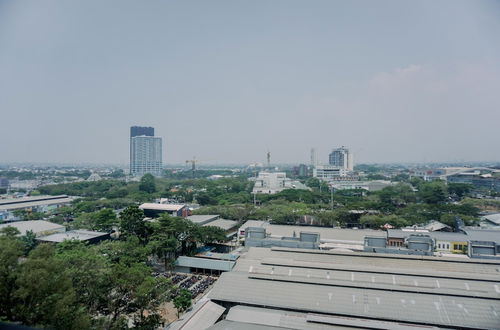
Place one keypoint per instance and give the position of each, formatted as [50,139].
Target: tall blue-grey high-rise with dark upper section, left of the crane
[145,151]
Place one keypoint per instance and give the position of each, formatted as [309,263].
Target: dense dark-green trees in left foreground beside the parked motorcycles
[106,286]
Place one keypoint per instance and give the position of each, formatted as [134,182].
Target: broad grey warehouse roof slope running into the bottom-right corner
[437,310]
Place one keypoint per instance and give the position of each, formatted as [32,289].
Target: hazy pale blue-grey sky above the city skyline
[225,81]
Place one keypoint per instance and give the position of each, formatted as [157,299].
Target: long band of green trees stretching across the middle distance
[406,203]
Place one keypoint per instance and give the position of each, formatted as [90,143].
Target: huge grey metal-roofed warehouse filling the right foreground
[303,289]
